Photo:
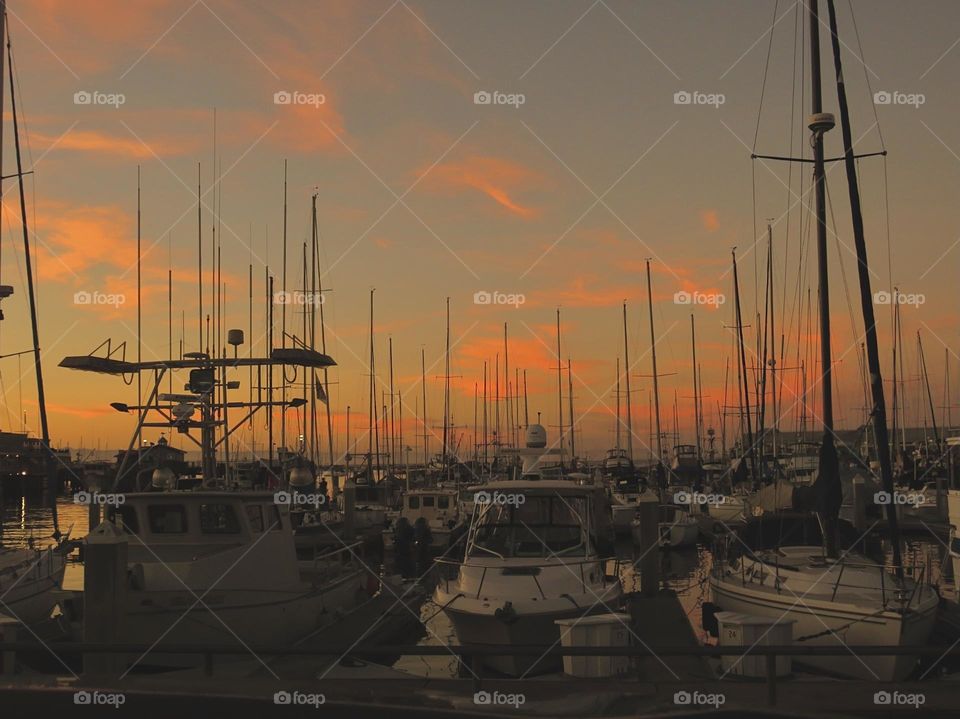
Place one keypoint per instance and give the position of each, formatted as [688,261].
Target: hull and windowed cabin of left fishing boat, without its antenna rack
[235,550]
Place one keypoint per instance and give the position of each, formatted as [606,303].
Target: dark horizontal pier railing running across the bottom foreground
[471,655]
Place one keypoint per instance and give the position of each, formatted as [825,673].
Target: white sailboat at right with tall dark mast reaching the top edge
[835,598]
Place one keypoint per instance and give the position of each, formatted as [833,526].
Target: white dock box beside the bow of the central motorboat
[599,630]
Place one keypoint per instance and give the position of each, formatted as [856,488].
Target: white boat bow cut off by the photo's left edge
[29,579]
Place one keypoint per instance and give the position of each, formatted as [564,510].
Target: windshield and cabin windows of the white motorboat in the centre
[539,527]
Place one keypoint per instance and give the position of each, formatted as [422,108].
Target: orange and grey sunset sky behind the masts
[586,163]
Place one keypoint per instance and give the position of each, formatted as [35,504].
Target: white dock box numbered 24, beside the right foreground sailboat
[747,630]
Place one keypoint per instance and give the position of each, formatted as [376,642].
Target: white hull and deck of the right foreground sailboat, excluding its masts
[849,601]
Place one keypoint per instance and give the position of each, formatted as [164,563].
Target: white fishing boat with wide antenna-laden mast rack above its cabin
[234,549]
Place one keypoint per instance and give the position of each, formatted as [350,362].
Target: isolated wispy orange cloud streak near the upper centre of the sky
[500,180]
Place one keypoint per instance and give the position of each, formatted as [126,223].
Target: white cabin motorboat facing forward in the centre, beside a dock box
[528,563]
